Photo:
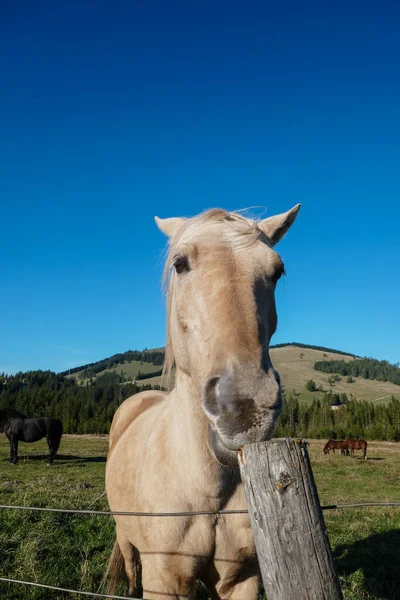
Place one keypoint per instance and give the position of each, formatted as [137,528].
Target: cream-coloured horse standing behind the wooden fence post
[177,451]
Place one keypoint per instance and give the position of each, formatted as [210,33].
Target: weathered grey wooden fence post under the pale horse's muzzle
[289,530]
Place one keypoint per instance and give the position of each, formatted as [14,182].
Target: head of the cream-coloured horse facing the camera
[222,270]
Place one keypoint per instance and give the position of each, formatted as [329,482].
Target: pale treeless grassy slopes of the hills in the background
[296,366]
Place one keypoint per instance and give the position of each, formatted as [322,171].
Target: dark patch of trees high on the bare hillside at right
[368,368]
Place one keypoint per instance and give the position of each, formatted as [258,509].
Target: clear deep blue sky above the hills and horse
[113,112]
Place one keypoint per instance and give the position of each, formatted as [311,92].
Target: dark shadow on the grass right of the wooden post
[378,557]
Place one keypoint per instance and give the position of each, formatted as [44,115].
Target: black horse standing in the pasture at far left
[19,428]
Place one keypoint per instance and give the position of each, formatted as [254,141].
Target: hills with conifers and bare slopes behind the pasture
[325,401]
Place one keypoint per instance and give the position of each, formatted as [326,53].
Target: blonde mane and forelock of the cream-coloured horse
[242,233]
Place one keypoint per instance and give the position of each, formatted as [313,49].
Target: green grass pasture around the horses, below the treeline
[72,551]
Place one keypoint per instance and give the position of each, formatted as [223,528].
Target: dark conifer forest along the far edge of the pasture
[89,408]
